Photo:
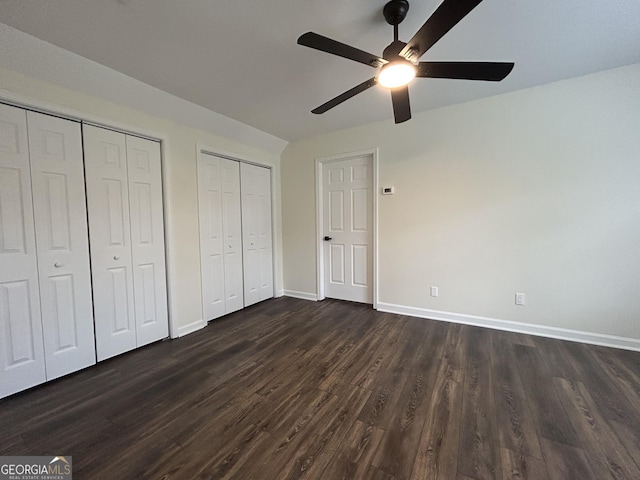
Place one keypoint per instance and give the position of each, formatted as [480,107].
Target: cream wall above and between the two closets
[60,80]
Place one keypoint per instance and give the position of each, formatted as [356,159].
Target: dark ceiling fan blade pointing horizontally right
[490,71]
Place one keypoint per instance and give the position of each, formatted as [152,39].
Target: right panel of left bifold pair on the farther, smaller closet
[232,228]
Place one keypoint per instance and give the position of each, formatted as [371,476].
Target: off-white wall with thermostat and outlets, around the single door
[536,191]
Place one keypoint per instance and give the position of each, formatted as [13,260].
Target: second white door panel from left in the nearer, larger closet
[57,174]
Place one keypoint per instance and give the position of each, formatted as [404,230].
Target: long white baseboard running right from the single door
[518,327]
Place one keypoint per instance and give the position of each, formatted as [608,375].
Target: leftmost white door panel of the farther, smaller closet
[211,236]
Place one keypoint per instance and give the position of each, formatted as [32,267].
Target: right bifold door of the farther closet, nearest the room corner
[256,233]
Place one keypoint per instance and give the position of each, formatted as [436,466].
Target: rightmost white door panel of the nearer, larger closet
[147,239]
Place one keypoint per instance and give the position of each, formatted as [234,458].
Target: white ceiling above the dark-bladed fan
[240,58]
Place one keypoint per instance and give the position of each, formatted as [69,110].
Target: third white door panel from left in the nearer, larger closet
[110,239]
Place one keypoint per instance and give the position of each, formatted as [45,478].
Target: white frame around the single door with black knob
[320,163]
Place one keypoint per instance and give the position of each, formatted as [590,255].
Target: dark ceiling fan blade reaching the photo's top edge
[446,16]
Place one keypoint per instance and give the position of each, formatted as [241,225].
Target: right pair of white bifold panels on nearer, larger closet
[124,194]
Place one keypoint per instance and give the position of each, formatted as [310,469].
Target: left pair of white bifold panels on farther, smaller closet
[220,235]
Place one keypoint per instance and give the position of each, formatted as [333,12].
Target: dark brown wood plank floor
[290,389]
